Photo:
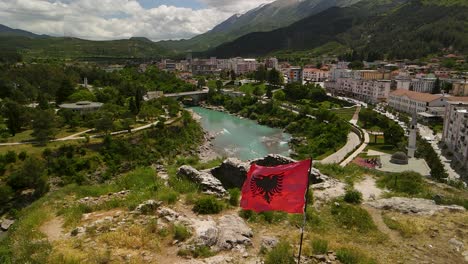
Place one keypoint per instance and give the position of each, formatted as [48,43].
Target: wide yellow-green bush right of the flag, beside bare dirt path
[354,217]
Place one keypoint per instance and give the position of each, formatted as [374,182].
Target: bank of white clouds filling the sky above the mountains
[114,19]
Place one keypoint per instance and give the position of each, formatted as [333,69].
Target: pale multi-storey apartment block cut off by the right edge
[456,130]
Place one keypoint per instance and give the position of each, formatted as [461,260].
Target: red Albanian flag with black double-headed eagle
[280,188]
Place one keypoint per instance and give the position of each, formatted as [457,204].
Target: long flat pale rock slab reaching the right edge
[413,206]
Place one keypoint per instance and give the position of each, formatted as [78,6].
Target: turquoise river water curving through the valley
[242,138]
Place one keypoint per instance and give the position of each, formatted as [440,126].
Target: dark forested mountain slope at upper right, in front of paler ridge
[422,27]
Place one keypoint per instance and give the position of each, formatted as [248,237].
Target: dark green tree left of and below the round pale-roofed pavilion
[44,125]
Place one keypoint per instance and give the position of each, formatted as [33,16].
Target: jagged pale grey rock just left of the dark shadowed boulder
[208,183]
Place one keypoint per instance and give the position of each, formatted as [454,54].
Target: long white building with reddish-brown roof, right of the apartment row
[409,102]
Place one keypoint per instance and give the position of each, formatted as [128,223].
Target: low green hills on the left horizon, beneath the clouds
[74,48]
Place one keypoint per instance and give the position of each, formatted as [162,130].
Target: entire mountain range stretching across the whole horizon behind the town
[374,28]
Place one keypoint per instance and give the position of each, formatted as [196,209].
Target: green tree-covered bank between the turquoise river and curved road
[314,136]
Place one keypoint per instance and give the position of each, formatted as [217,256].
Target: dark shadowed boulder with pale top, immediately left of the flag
[232,173]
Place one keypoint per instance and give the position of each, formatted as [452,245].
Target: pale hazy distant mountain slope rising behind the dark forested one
[264,18]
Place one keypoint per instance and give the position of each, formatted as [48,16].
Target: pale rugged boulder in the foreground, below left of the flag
[233,231]
